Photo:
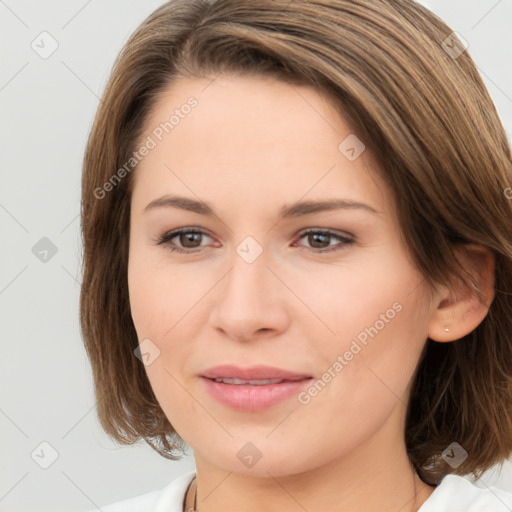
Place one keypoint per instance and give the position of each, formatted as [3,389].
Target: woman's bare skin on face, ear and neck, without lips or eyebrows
[250,147]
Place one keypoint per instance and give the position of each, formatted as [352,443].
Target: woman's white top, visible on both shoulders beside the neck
[453,494]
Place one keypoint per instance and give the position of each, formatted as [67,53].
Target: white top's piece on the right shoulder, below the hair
[458,494]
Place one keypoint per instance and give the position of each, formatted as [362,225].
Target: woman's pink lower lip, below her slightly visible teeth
[253,398]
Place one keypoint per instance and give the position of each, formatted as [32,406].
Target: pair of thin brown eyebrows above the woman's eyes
[296,210]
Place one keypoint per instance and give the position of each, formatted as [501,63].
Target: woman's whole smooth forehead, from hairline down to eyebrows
[235,137]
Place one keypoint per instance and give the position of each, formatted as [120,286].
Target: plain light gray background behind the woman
[47,111]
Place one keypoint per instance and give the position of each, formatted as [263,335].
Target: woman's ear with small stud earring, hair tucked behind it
[457,308]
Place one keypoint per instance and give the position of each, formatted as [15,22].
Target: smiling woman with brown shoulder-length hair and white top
[298,258]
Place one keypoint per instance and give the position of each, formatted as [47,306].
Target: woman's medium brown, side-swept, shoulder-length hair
[422,110]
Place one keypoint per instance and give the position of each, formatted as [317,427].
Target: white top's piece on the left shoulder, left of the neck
[168,499]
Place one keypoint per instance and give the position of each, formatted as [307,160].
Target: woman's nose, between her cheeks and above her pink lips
[251,300]
